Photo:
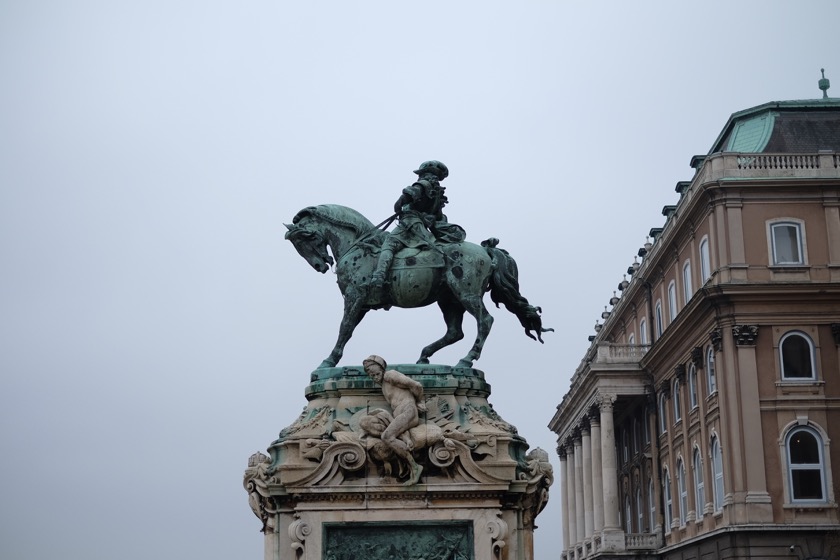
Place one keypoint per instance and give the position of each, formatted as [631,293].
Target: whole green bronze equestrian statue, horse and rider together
[424,261]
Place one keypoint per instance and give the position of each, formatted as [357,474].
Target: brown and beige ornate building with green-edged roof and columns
[704,420]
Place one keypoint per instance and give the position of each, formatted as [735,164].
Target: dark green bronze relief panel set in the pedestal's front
[399,541]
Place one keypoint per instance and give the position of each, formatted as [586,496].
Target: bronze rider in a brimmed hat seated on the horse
[421,220]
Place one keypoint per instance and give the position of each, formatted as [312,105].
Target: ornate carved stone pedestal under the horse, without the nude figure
[332,491]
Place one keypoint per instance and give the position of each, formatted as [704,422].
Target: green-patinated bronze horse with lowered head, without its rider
[456,276]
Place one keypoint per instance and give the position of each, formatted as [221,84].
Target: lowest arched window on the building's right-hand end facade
[806,467]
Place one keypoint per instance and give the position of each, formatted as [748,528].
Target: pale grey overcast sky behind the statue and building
[156,329]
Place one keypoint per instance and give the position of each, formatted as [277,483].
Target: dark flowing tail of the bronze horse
[504,289]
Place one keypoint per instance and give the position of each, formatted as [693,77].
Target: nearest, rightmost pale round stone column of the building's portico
[612,538]
